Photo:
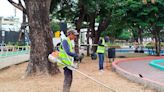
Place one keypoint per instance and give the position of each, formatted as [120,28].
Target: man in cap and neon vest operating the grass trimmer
[67,55]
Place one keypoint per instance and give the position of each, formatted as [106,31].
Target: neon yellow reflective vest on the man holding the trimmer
[66,59]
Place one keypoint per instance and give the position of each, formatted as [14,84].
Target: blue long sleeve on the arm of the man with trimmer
[66,48]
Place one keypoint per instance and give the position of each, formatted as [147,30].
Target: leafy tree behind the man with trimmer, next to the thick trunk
[70,11]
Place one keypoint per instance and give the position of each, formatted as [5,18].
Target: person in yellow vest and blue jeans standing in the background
[101,51]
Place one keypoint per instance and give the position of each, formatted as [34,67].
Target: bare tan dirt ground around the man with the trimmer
[11,80]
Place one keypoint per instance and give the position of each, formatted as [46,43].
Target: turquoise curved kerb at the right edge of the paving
[156,64]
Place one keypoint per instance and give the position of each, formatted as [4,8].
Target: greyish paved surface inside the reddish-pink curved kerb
[143,68]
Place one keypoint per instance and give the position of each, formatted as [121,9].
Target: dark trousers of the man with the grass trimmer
[67,79]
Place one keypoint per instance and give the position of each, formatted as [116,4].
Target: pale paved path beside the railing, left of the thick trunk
[8,61]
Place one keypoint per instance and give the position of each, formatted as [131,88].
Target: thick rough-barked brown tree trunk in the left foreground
[40,36]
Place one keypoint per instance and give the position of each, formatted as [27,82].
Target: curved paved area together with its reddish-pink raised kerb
[139,70]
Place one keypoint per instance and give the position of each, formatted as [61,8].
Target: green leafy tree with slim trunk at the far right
[147,16]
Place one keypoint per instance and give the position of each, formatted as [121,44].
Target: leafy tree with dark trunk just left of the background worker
[99,11]
